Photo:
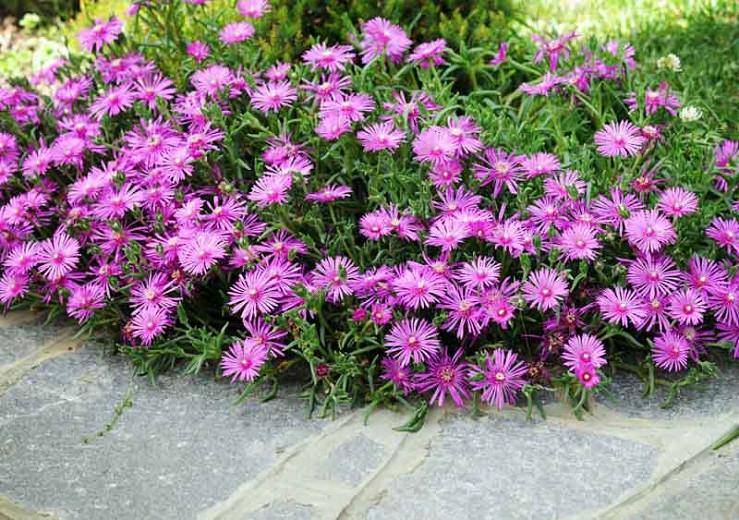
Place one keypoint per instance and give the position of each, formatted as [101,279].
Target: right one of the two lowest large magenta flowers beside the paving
[501,378]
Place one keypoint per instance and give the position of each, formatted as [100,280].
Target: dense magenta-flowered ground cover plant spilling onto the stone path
[386,220]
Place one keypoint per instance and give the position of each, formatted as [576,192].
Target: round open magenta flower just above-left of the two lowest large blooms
[412,340]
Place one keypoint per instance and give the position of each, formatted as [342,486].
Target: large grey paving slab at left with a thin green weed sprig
[179,448]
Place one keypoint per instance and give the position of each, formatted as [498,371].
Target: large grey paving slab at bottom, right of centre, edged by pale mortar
[487,467]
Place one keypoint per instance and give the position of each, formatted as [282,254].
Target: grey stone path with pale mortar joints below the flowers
[80,438]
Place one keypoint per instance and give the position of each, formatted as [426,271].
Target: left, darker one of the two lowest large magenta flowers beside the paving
[445,375]
